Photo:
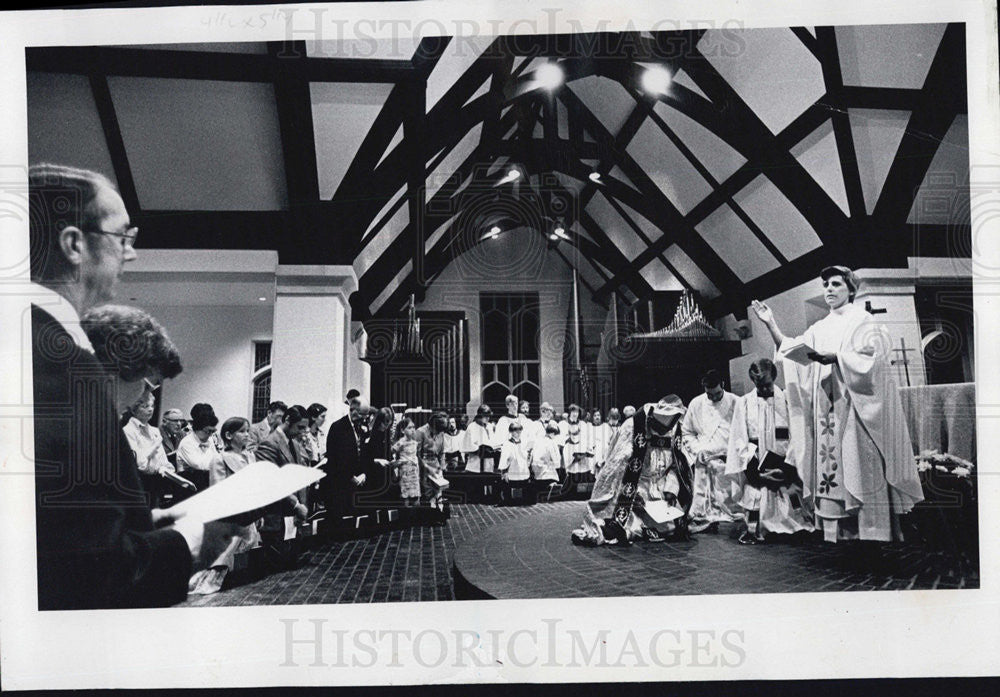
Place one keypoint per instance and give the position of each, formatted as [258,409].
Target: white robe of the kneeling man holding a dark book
[752,433]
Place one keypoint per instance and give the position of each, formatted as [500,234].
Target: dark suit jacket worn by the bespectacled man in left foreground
[95,539]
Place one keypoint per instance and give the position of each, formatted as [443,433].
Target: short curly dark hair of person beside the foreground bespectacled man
[130,343]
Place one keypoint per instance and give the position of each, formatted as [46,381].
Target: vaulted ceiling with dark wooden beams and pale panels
[773,153]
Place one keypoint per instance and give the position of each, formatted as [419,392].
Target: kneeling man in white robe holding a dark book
[760,426]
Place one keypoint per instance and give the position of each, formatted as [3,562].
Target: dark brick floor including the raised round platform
[525,552]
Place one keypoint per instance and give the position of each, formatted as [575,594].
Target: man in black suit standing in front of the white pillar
[344,475]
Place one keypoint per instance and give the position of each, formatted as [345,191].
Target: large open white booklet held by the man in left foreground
[253,487]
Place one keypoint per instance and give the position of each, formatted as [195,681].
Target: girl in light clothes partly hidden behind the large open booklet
[235,436]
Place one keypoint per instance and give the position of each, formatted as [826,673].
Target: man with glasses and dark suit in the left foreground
[96,542]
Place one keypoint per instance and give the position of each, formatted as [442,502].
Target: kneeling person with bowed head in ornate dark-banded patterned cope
[644,489]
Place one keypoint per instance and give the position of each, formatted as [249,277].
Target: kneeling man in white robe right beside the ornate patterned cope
[705,440]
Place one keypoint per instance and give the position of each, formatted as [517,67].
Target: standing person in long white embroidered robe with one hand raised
[849,438]
